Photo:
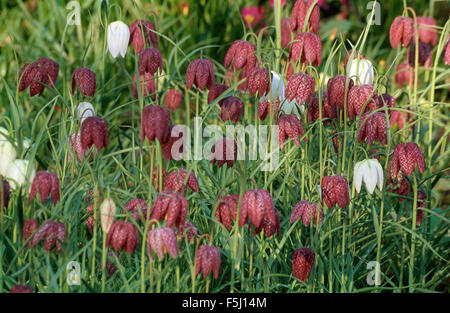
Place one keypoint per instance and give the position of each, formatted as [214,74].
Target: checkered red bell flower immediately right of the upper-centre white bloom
[301,87]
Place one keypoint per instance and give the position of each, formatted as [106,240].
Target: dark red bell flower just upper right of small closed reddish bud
[200,72]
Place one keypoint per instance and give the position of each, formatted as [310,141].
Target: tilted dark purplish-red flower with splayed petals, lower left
[53,233]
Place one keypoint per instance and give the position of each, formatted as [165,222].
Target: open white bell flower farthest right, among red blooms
[371,172]
